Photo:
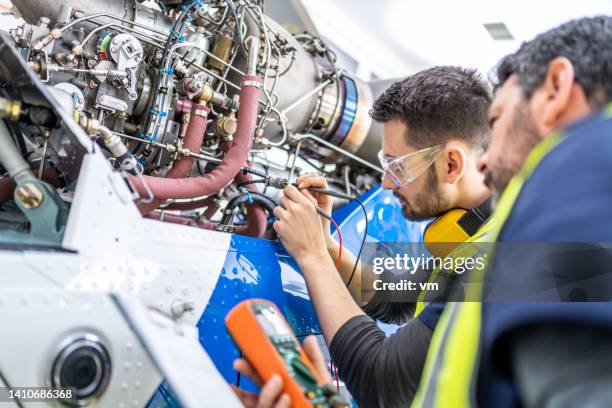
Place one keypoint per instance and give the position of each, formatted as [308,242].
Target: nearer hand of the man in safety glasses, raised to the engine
[299,227]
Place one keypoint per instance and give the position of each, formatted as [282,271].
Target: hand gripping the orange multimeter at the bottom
[271,394]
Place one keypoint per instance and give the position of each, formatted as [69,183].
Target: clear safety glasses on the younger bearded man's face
[405,169]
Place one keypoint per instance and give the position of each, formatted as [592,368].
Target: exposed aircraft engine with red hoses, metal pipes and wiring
[195,100]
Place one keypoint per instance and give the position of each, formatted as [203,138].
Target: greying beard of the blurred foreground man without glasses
[524,133]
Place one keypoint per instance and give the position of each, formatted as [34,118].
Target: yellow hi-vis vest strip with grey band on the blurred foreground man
[449,375]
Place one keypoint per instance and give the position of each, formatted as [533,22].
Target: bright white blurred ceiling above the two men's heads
[396,37]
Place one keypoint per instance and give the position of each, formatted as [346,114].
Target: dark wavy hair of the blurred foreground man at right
[586,42]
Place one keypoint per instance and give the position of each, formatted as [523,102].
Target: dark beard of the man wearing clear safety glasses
[428,203]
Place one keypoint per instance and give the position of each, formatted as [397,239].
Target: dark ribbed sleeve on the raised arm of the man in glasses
[380,371]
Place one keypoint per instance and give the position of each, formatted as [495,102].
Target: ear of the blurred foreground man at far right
[554,95]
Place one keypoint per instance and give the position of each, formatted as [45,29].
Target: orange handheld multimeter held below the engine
[265,338]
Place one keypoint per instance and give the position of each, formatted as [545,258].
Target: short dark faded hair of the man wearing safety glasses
[437,105]
